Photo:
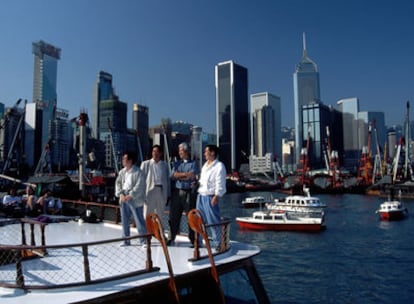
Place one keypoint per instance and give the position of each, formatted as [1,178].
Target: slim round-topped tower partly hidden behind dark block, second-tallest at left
[103,90]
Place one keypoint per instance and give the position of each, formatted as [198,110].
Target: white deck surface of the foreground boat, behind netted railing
[63,265]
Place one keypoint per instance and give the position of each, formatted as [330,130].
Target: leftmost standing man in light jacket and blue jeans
[130,188]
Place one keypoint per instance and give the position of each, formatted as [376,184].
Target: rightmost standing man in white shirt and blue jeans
[212,186]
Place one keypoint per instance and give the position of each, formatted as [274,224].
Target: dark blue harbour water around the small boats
[357,259]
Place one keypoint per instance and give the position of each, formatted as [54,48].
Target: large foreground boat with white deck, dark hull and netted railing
[68,261]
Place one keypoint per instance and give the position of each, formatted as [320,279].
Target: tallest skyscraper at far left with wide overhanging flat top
[46,58]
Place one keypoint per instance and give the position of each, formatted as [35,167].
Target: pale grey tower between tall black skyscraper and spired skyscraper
[265,134]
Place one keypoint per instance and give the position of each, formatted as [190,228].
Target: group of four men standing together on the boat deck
[147,189]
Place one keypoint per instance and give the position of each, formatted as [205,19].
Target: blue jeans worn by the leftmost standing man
[128,209]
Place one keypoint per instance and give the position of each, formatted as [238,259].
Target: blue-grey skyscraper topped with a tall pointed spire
[305,90]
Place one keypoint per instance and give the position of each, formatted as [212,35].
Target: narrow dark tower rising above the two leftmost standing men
[140,123]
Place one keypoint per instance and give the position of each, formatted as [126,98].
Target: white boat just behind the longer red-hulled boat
[298,203]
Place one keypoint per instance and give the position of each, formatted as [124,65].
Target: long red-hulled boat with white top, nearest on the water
[280,221]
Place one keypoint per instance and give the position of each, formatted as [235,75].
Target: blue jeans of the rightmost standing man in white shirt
[211,215]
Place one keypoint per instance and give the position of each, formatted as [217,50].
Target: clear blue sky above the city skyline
[162,53]
